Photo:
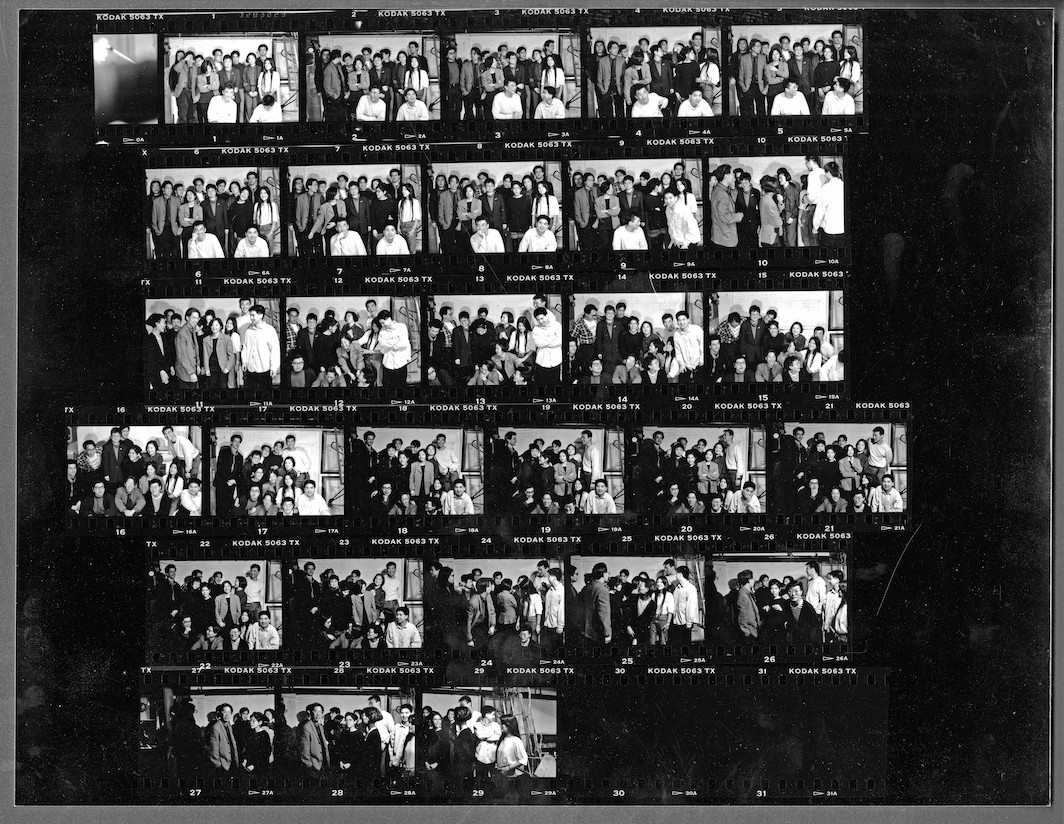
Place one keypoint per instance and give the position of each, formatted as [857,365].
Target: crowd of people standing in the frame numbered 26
[785,613]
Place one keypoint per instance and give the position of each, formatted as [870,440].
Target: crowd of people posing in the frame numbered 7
[352,218]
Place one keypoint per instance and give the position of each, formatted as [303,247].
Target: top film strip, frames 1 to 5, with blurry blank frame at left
[711,79]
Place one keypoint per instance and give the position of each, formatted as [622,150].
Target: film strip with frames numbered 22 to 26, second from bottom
[400,608]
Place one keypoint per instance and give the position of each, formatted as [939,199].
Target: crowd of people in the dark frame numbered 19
[548,480]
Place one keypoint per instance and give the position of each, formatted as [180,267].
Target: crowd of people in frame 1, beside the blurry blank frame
[225,88]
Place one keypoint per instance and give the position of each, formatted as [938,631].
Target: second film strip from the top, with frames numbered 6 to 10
[717,224]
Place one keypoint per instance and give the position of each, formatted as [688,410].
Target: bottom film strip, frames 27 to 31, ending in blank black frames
[809,736]
